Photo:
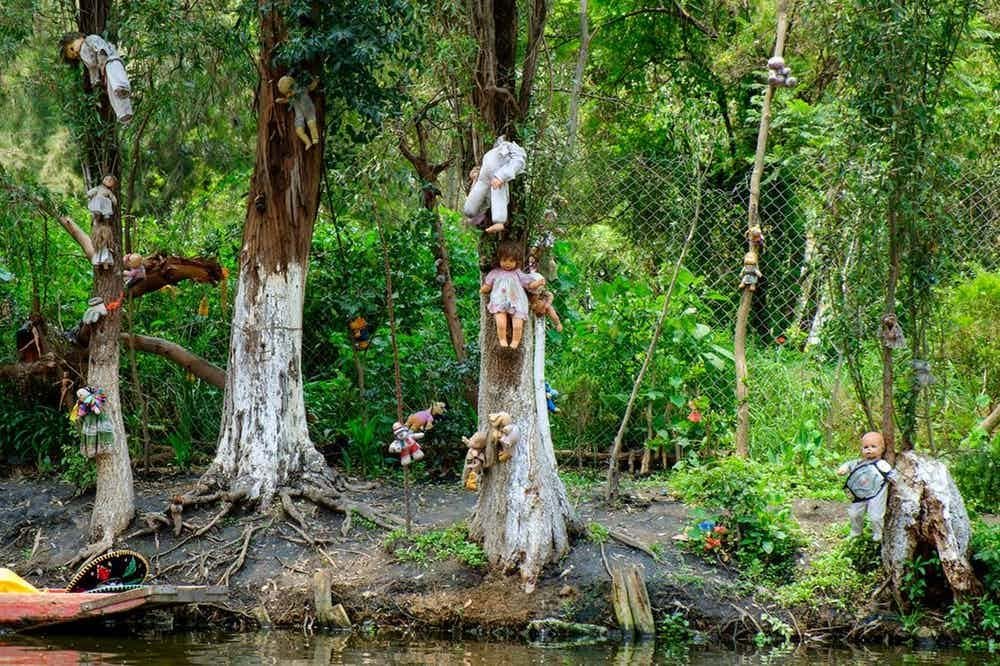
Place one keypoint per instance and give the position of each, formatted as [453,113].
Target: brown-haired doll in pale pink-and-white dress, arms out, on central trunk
[508,300]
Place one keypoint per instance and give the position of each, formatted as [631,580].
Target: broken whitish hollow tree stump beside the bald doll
[926,512]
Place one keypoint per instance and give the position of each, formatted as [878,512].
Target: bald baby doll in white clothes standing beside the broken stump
[866,479]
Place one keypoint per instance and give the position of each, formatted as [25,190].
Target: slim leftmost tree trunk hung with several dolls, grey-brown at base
[114,501]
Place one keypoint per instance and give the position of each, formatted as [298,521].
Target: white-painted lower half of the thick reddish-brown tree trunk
[264,442]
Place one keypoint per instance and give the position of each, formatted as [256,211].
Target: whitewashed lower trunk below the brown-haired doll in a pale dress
[523,515]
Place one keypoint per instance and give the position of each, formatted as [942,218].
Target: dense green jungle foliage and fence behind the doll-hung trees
[643,123]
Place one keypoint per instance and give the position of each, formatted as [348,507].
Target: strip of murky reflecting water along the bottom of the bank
[294,649]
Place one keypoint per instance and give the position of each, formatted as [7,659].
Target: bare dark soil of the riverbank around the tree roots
[42,524]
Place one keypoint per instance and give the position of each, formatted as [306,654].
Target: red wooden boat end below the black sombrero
[30,611]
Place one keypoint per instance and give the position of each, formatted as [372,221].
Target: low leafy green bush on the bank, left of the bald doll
[743,498]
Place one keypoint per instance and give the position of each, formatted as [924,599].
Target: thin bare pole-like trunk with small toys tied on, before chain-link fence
[753,219]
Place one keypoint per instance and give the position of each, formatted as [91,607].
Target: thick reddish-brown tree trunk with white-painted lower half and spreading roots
[264,441]
